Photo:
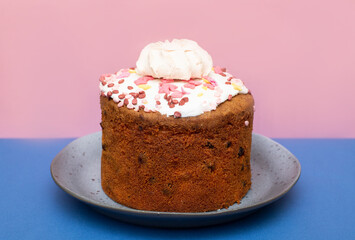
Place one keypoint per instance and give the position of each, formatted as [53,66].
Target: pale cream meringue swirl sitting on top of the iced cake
[179,59]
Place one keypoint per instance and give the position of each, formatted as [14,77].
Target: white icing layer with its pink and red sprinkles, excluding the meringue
[176,98]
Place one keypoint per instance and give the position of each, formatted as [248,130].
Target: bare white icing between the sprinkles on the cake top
[196,105]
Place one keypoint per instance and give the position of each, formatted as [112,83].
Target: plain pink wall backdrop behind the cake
[297,57]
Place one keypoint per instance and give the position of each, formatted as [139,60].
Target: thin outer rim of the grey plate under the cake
[215,213]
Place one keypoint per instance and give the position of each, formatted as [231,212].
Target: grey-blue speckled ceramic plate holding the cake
[76,169]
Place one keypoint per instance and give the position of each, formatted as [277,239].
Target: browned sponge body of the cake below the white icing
[193,164]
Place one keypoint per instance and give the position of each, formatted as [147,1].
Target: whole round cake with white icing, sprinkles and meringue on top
[176,132]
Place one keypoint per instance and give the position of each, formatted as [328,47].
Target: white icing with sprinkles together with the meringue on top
[174,78]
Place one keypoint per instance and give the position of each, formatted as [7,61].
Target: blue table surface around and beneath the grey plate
[320,206]
